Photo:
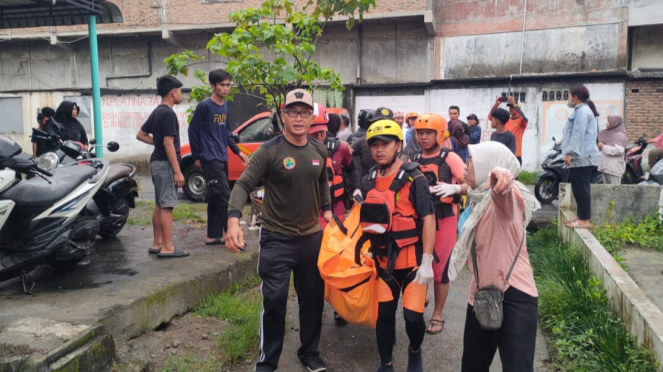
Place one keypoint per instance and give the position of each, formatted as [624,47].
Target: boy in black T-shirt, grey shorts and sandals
[162,130]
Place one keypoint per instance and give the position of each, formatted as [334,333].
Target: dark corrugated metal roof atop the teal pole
[40,13]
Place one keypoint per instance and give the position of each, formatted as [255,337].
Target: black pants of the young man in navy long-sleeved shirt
[218,194]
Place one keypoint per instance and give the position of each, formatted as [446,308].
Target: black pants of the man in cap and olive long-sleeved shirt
[279,256]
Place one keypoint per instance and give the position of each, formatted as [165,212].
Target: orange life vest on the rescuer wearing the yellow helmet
[390,223]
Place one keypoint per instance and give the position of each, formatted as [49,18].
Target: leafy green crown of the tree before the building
[289,35]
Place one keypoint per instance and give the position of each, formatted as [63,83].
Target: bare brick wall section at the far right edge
[644,108]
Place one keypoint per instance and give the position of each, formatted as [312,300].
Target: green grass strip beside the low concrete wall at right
[585,335]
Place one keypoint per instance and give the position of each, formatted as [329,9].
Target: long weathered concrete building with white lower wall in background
[414,55]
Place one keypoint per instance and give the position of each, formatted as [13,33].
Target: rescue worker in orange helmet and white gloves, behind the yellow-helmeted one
[443,170]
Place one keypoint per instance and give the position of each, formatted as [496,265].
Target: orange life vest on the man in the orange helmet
[438,171]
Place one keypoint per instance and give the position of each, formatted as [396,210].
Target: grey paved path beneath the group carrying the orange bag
[353,348]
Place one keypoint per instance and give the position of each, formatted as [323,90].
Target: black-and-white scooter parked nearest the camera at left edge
[43,217]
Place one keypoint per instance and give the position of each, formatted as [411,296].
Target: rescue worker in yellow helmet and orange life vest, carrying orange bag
[398,217]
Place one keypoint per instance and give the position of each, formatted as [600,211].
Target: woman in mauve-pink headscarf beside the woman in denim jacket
[612,143]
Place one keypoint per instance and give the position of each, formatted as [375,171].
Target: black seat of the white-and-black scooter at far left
[37,192]
